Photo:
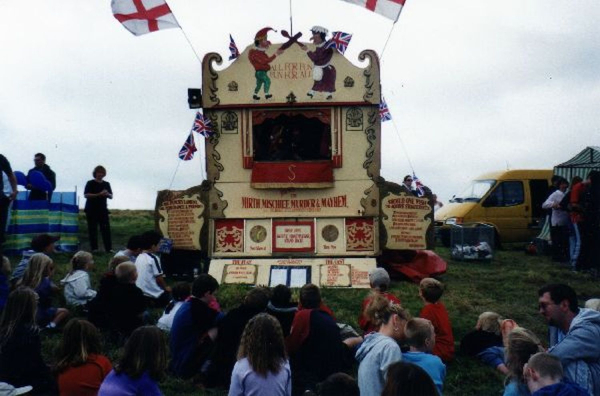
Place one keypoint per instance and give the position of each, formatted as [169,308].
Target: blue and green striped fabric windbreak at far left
[59,217]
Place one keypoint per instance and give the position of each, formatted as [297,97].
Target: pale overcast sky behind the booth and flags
[473,85]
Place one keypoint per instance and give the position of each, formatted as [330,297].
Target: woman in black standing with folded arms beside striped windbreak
[97,191]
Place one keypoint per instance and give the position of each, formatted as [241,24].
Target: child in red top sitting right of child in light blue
[430,291]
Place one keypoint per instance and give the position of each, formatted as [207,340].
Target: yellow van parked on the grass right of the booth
[510,201]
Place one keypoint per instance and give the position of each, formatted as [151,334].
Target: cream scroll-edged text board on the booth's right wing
[404,221]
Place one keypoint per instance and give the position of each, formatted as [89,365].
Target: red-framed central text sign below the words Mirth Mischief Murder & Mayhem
[293,236]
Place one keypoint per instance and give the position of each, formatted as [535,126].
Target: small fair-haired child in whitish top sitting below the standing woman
[77,287]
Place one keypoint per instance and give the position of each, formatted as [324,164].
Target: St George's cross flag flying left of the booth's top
[144,16]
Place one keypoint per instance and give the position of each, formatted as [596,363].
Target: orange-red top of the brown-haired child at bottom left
[84,380]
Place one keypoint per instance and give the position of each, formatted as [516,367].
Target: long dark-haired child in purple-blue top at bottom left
[141,367]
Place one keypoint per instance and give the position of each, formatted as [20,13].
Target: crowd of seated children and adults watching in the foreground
[268,345]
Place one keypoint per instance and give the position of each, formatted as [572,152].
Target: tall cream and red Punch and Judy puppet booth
[293,155]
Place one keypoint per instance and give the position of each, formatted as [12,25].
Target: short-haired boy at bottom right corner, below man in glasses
[544,376]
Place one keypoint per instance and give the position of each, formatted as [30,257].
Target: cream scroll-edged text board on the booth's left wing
[181,219]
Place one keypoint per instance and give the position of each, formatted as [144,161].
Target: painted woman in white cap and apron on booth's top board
[324,74]
